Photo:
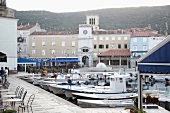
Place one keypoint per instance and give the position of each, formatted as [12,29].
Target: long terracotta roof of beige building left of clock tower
[55,33]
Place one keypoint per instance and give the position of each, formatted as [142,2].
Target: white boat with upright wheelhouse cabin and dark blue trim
[117,87]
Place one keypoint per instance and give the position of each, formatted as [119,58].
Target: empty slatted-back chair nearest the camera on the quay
[29,103]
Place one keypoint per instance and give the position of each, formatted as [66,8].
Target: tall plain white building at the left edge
[8,37]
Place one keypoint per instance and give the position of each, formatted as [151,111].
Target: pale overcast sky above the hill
[79,5]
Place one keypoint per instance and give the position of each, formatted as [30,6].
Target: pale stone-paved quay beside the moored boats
[46,102]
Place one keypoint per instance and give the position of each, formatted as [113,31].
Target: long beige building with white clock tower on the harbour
[85,44]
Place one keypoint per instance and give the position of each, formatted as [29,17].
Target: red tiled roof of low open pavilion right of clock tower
[116,53]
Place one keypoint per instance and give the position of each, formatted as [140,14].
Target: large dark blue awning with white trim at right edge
[157,60]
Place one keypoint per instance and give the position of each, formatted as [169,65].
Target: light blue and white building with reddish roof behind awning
[141,42]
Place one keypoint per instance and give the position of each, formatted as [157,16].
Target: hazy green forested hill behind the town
[113,18]
